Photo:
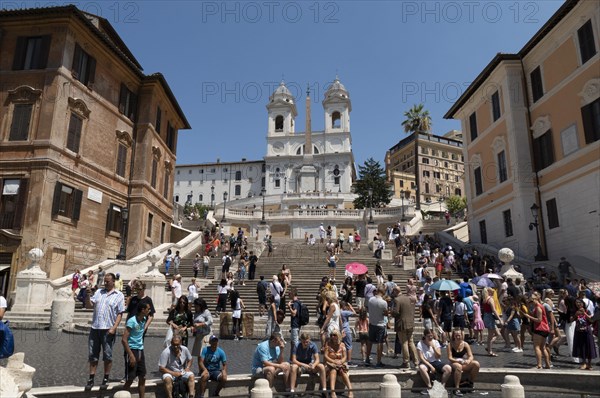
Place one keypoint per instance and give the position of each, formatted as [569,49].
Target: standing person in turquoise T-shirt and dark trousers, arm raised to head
[133,344]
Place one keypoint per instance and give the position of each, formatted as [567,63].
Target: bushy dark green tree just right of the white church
[371,175]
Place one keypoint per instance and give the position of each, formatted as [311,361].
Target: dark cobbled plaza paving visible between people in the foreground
[61,358]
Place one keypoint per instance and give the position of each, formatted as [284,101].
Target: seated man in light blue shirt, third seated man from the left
[268,359]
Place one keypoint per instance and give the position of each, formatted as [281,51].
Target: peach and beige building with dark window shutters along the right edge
[532,149]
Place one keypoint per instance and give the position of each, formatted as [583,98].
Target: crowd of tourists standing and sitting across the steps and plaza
[365,306]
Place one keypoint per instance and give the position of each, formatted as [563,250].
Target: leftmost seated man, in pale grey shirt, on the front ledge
[176,361]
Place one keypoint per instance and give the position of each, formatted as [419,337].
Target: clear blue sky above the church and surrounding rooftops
[223,59]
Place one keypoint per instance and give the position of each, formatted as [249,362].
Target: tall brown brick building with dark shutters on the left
[87,143]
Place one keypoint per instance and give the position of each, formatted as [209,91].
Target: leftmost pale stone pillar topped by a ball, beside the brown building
[32,285]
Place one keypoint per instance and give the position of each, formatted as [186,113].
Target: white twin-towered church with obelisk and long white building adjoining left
[310,169]
